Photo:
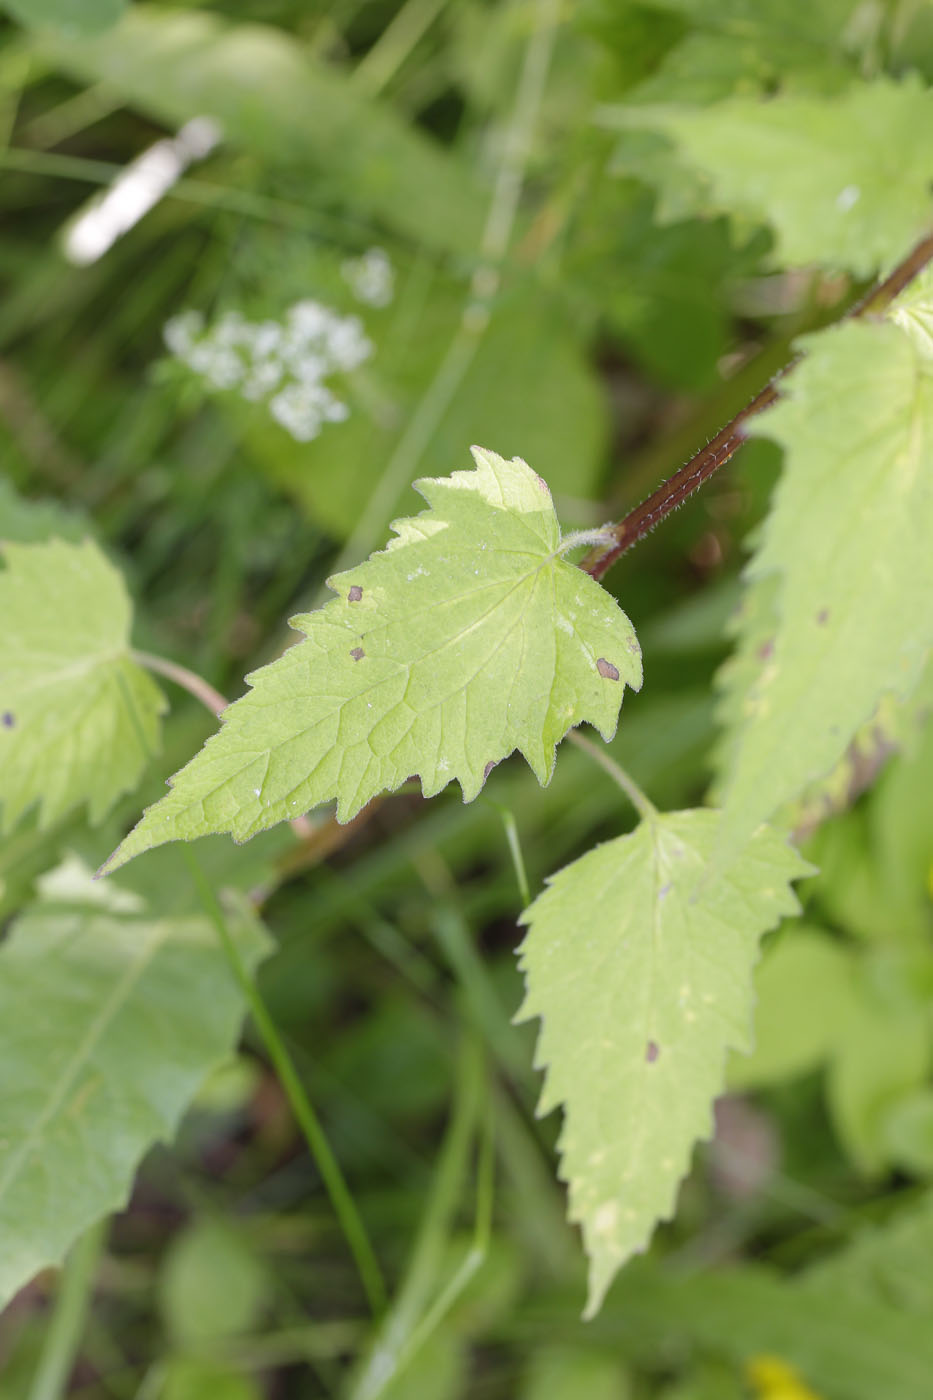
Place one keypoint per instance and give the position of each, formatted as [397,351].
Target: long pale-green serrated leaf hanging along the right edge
[848,541]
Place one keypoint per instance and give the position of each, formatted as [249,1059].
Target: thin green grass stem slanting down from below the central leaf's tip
[307,1119]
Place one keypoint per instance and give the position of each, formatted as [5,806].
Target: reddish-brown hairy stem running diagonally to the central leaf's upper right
[708,460]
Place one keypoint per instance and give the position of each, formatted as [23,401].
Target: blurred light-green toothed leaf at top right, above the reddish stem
[843,180]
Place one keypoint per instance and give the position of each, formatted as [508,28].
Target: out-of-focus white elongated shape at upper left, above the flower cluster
[137,190]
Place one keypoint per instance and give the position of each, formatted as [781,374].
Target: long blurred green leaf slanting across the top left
[271,97]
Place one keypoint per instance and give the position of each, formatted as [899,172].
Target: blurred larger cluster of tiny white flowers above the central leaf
[282,362]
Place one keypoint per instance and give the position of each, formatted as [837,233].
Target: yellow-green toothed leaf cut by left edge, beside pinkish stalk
[79,719]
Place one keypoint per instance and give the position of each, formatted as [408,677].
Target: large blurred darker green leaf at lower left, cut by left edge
[113,1018]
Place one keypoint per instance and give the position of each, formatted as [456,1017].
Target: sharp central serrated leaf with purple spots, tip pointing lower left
[466,639]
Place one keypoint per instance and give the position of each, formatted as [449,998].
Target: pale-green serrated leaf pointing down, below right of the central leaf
[640,962]
